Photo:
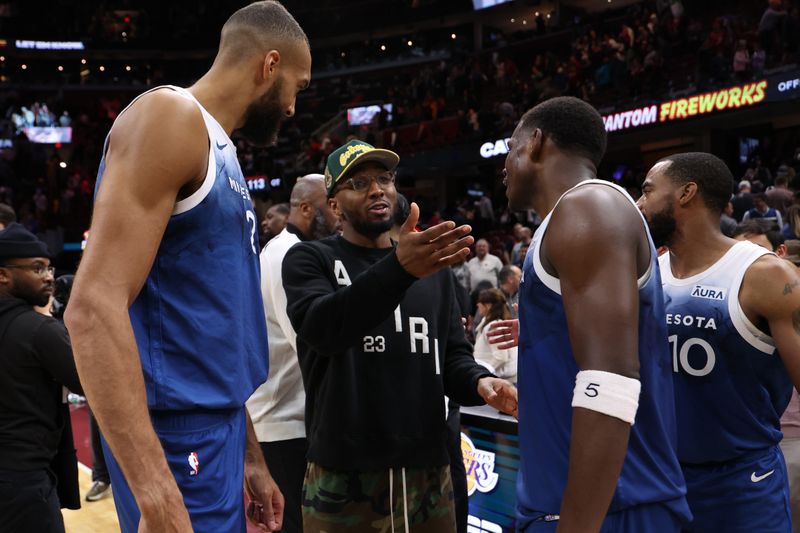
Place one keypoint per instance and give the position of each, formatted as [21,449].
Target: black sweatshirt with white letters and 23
[378,350]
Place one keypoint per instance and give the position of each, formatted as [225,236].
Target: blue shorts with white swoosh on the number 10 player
[744,495]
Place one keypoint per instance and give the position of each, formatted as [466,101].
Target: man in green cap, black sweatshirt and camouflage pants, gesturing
[380,343]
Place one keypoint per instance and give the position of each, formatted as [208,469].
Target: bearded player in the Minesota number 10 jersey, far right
[733,315]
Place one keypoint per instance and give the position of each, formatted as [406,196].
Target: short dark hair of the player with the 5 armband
[572,124]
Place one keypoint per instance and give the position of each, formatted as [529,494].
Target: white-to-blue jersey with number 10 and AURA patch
[730,384]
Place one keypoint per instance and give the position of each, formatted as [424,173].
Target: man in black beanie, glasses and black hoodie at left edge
[36,364]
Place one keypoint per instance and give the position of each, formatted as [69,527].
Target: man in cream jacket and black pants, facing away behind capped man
[277,407]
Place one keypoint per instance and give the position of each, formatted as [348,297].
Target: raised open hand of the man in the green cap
[425,253]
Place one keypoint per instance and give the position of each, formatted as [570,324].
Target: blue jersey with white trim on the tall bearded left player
[199,320]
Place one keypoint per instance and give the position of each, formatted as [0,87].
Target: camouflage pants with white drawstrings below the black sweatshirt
[378,501]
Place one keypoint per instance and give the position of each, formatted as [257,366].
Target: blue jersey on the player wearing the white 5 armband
[547,369]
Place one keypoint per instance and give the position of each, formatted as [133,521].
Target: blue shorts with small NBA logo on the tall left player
[205,452]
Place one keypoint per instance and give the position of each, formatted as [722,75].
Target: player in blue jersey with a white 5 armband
[596,414]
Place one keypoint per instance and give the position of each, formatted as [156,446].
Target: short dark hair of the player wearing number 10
[712,176]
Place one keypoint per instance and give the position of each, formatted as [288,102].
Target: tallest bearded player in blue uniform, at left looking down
[166,318]
